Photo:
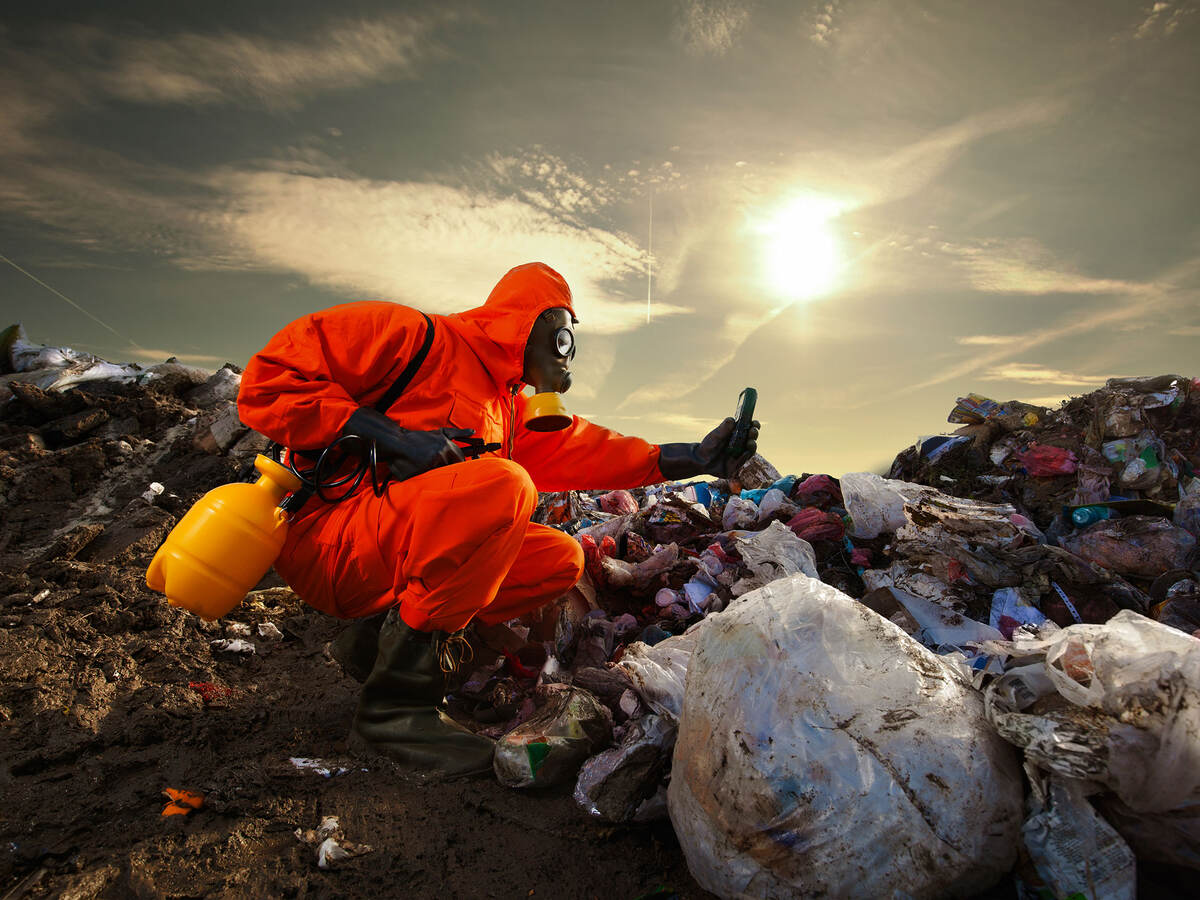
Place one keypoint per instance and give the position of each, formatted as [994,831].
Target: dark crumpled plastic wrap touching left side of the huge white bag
[615,784]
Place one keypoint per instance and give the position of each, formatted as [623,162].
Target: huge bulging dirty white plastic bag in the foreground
[823,752]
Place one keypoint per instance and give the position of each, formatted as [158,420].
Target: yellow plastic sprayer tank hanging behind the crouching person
[225,545]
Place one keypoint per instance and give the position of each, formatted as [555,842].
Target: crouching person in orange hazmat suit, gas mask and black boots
[449,539]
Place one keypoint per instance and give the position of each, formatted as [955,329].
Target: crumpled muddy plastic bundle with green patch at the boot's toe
[550,748]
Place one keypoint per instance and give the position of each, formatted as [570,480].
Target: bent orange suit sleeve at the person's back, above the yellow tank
[303,387]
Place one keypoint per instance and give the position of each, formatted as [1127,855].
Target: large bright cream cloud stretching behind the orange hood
[436,247]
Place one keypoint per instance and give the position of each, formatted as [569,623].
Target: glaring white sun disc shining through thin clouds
[802,254]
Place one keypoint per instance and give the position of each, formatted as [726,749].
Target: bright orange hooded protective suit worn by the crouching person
[455,542]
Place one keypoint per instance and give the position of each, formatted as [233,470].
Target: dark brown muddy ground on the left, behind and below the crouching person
[98,717]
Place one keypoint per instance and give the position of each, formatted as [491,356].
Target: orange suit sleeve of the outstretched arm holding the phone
[585,457]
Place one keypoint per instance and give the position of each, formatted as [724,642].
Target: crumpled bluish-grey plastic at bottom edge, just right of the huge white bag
[1076,853]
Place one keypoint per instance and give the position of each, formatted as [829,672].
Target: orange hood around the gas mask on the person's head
[500,329]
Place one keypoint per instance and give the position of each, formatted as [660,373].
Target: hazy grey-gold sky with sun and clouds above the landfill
[863,209]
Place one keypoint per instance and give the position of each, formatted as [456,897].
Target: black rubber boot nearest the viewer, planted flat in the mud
[399,716]
